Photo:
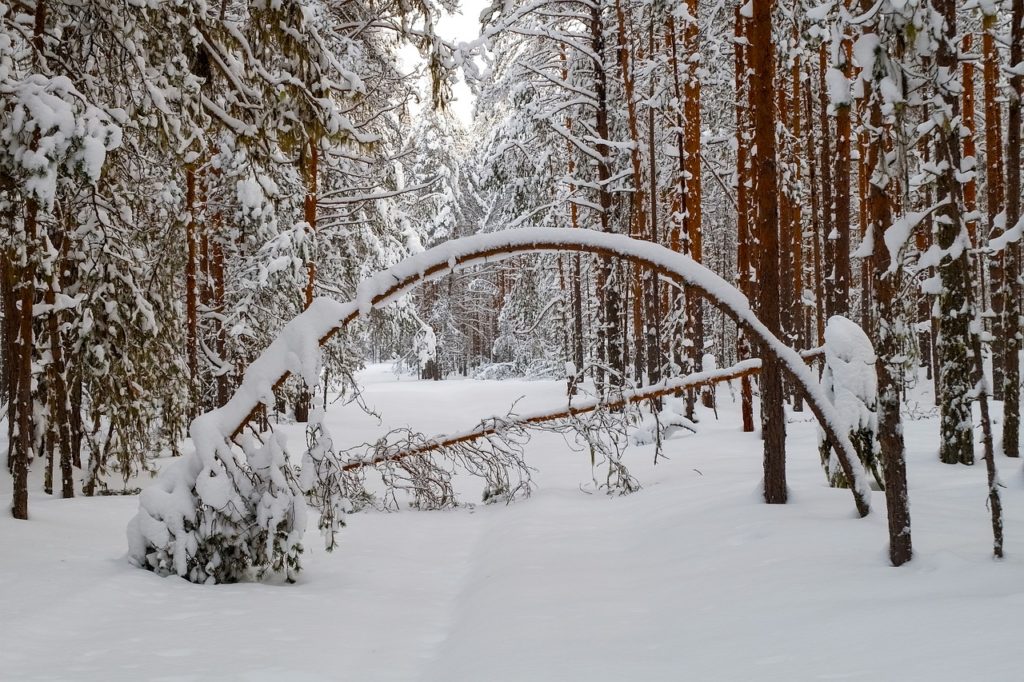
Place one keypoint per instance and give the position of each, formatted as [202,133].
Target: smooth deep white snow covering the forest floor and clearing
[693,578]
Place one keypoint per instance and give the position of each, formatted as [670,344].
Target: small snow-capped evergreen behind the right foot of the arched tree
[851,386]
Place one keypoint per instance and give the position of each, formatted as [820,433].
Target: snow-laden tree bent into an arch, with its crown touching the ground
[215,518]
